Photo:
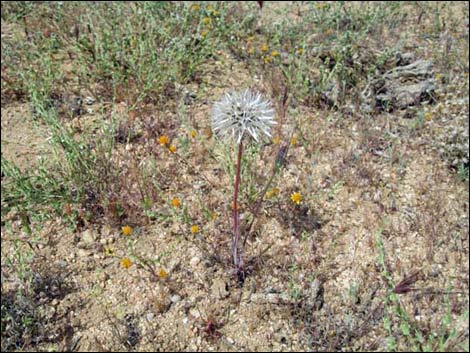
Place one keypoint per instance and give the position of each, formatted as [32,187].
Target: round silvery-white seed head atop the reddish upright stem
[243,113]
